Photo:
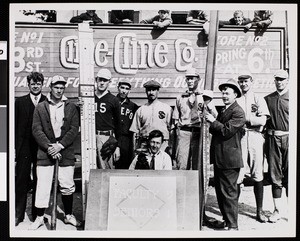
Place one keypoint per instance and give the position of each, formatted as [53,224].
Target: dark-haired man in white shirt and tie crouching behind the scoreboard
[157,159]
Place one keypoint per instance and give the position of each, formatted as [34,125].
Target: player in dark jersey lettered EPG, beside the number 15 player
[128,109]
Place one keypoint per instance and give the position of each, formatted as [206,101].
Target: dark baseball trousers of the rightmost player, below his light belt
[277,152]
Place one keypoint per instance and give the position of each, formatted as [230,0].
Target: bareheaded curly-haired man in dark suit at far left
[25,145]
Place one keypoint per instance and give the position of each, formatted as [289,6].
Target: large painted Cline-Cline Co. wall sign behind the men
[140,52]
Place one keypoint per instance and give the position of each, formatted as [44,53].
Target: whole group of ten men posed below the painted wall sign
[244,132]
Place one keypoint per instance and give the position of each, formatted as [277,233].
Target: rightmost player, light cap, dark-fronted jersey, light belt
[277,140]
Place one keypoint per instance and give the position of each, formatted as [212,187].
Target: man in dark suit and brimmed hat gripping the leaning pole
[226,152]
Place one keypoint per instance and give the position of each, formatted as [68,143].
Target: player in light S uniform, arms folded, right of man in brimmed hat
[256,112]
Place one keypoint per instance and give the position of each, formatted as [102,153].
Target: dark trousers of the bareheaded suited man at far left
[22,185]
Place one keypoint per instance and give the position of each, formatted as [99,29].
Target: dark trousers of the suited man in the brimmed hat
[227,194]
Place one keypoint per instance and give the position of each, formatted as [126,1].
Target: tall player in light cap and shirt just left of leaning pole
[187,121]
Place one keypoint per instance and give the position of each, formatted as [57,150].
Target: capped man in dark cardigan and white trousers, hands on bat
[55,127]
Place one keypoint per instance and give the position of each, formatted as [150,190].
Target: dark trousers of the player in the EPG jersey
[126,152]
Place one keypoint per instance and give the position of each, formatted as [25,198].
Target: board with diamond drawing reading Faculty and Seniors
[143,200]
